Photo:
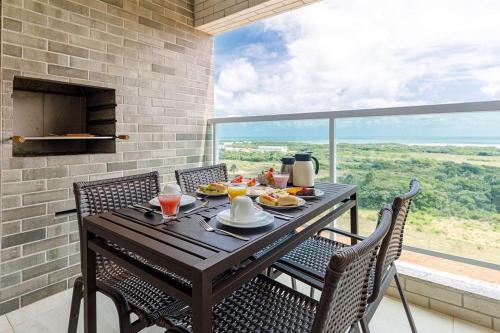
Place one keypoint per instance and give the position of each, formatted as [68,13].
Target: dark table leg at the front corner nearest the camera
[202,305]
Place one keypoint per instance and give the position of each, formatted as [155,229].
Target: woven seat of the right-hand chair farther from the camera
[313,255]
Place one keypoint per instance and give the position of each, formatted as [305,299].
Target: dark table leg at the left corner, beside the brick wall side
[89,289]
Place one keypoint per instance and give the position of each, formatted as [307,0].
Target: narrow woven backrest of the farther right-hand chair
[392,245]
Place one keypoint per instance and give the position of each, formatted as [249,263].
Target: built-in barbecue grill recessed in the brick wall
[58,118]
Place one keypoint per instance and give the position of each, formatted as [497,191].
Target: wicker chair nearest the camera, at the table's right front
[264,305]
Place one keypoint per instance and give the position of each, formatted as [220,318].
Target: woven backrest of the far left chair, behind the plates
[190,179]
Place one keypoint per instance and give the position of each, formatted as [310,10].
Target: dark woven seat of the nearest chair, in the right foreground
[261,305]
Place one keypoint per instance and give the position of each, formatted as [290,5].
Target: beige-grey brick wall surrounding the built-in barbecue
[162,71]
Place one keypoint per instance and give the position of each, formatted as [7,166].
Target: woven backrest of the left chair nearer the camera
[100,196]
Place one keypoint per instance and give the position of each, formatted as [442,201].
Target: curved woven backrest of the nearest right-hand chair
[345,293]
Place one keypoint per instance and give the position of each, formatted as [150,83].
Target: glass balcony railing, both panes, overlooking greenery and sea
[457,214]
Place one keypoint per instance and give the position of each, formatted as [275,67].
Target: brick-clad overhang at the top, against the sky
[217,16]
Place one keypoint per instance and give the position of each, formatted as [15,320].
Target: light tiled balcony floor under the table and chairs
[51,315]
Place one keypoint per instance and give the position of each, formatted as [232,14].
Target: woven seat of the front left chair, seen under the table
[146,301]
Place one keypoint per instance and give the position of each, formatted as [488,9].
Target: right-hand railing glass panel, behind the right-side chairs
[456,157]
